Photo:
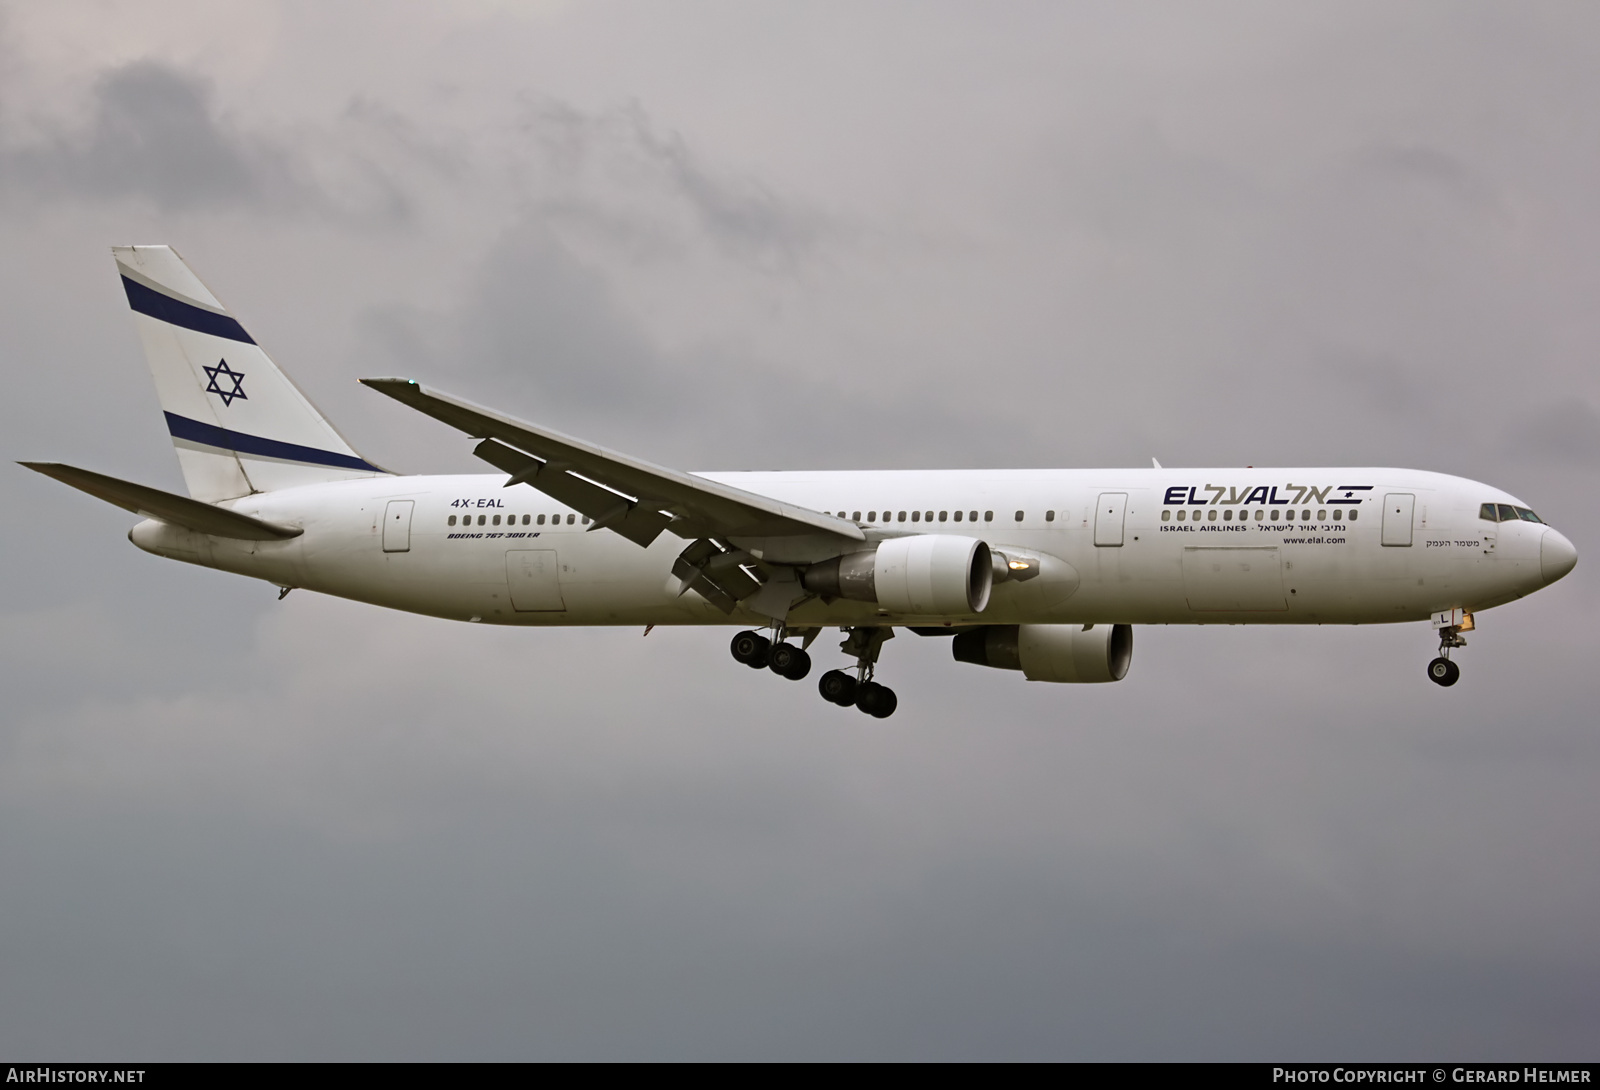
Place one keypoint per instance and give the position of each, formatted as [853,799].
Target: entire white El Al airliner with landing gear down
[1044,572]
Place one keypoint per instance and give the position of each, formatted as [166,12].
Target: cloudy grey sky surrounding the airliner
[802,236]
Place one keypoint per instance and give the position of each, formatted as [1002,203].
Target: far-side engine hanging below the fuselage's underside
[1050,652]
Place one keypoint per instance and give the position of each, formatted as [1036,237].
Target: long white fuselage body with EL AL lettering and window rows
[1262,547]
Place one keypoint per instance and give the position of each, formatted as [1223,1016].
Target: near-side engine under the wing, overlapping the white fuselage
[932,574]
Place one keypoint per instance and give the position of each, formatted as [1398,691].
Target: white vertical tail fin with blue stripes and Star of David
[238,422]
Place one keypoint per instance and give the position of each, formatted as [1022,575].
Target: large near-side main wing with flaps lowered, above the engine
[628,495]
